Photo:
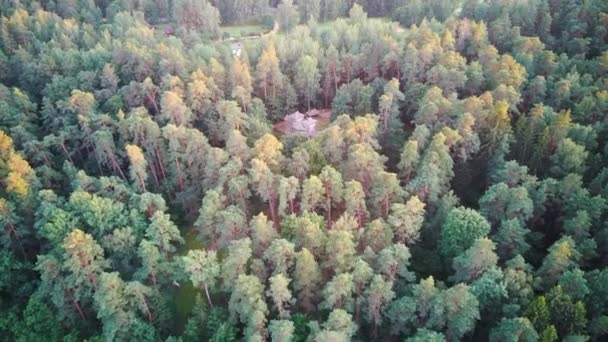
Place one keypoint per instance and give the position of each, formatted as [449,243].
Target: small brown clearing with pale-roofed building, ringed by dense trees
[306,124]
